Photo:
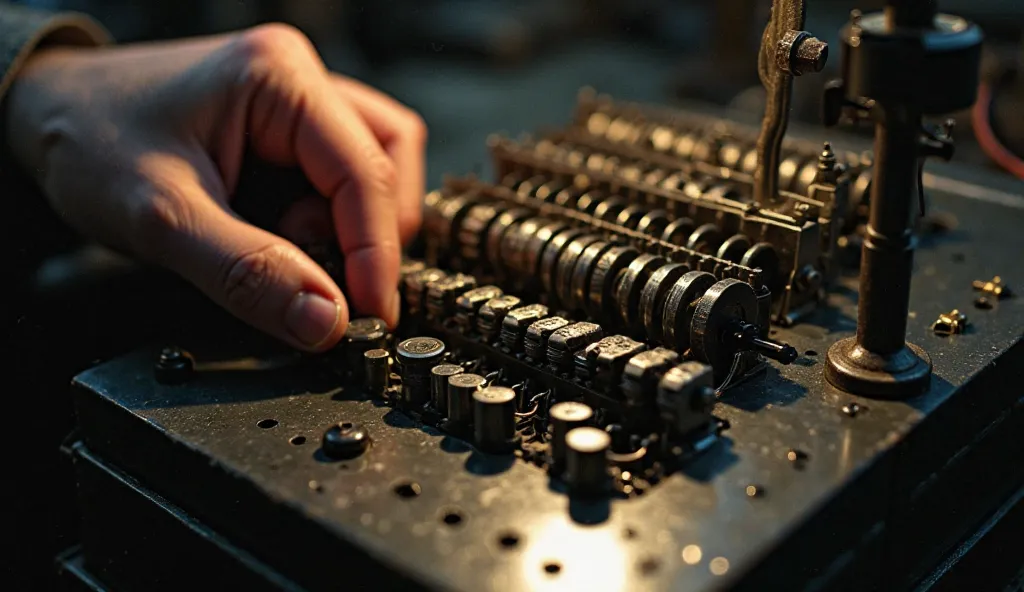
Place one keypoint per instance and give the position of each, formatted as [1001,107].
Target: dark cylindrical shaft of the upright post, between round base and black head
[888,251]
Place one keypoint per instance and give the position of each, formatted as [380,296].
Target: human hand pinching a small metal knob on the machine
[141,148]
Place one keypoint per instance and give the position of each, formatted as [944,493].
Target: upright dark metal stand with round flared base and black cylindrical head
[899,66]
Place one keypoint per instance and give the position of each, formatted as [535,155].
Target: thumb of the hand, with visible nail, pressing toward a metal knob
[257,276]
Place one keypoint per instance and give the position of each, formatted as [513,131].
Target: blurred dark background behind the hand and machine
[471,68]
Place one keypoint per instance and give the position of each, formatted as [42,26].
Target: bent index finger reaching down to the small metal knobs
[295,115]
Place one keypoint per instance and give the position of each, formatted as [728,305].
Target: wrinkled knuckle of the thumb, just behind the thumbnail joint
[247,277]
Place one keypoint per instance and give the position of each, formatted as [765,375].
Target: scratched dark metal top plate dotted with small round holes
[699,530]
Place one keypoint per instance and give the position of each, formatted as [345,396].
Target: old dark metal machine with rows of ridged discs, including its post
[636,360]
